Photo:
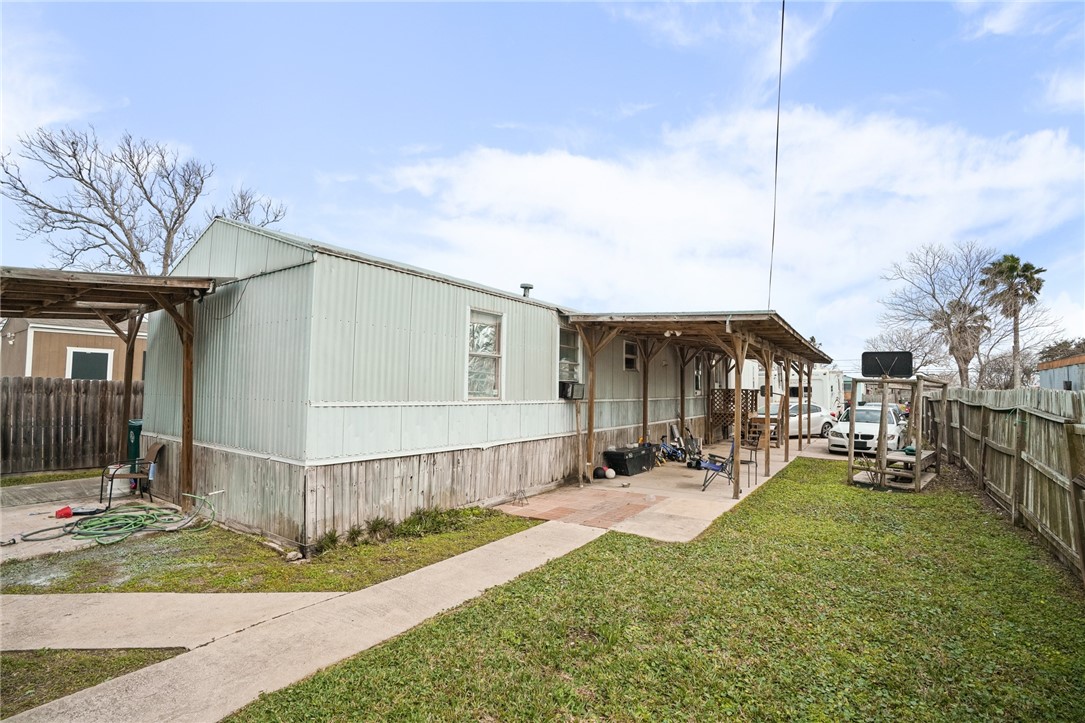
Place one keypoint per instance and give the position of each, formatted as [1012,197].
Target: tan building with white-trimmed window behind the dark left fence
[69,349]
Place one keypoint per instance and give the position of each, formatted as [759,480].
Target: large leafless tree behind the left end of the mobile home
[125,209]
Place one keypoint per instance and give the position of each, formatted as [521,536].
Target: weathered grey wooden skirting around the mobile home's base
[299,504]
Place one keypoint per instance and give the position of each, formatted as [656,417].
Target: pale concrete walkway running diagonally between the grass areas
[216,679]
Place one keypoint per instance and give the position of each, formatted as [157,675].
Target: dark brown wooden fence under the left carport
[62,424]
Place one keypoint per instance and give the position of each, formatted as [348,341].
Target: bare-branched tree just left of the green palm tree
[939,289]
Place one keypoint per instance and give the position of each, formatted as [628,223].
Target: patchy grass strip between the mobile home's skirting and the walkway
[215,561]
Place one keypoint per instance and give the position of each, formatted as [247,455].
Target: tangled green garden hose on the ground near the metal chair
[113,526]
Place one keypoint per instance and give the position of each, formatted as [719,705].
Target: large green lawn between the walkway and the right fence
[811,601]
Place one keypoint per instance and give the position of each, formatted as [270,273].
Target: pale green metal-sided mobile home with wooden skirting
[333,388]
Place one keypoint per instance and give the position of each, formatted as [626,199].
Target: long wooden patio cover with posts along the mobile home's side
[763,336]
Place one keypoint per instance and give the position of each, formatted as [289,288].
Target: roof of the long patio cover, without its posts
[712,331]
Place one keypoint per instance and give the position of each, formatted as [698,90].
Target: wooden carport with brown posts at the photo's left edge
[121,301]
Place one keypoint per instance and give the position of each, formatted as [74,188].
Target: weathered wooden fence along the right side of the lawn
[1027,449]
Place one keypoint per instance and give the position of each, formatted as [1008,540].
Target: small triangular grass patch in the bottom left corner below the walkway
[34,678]
